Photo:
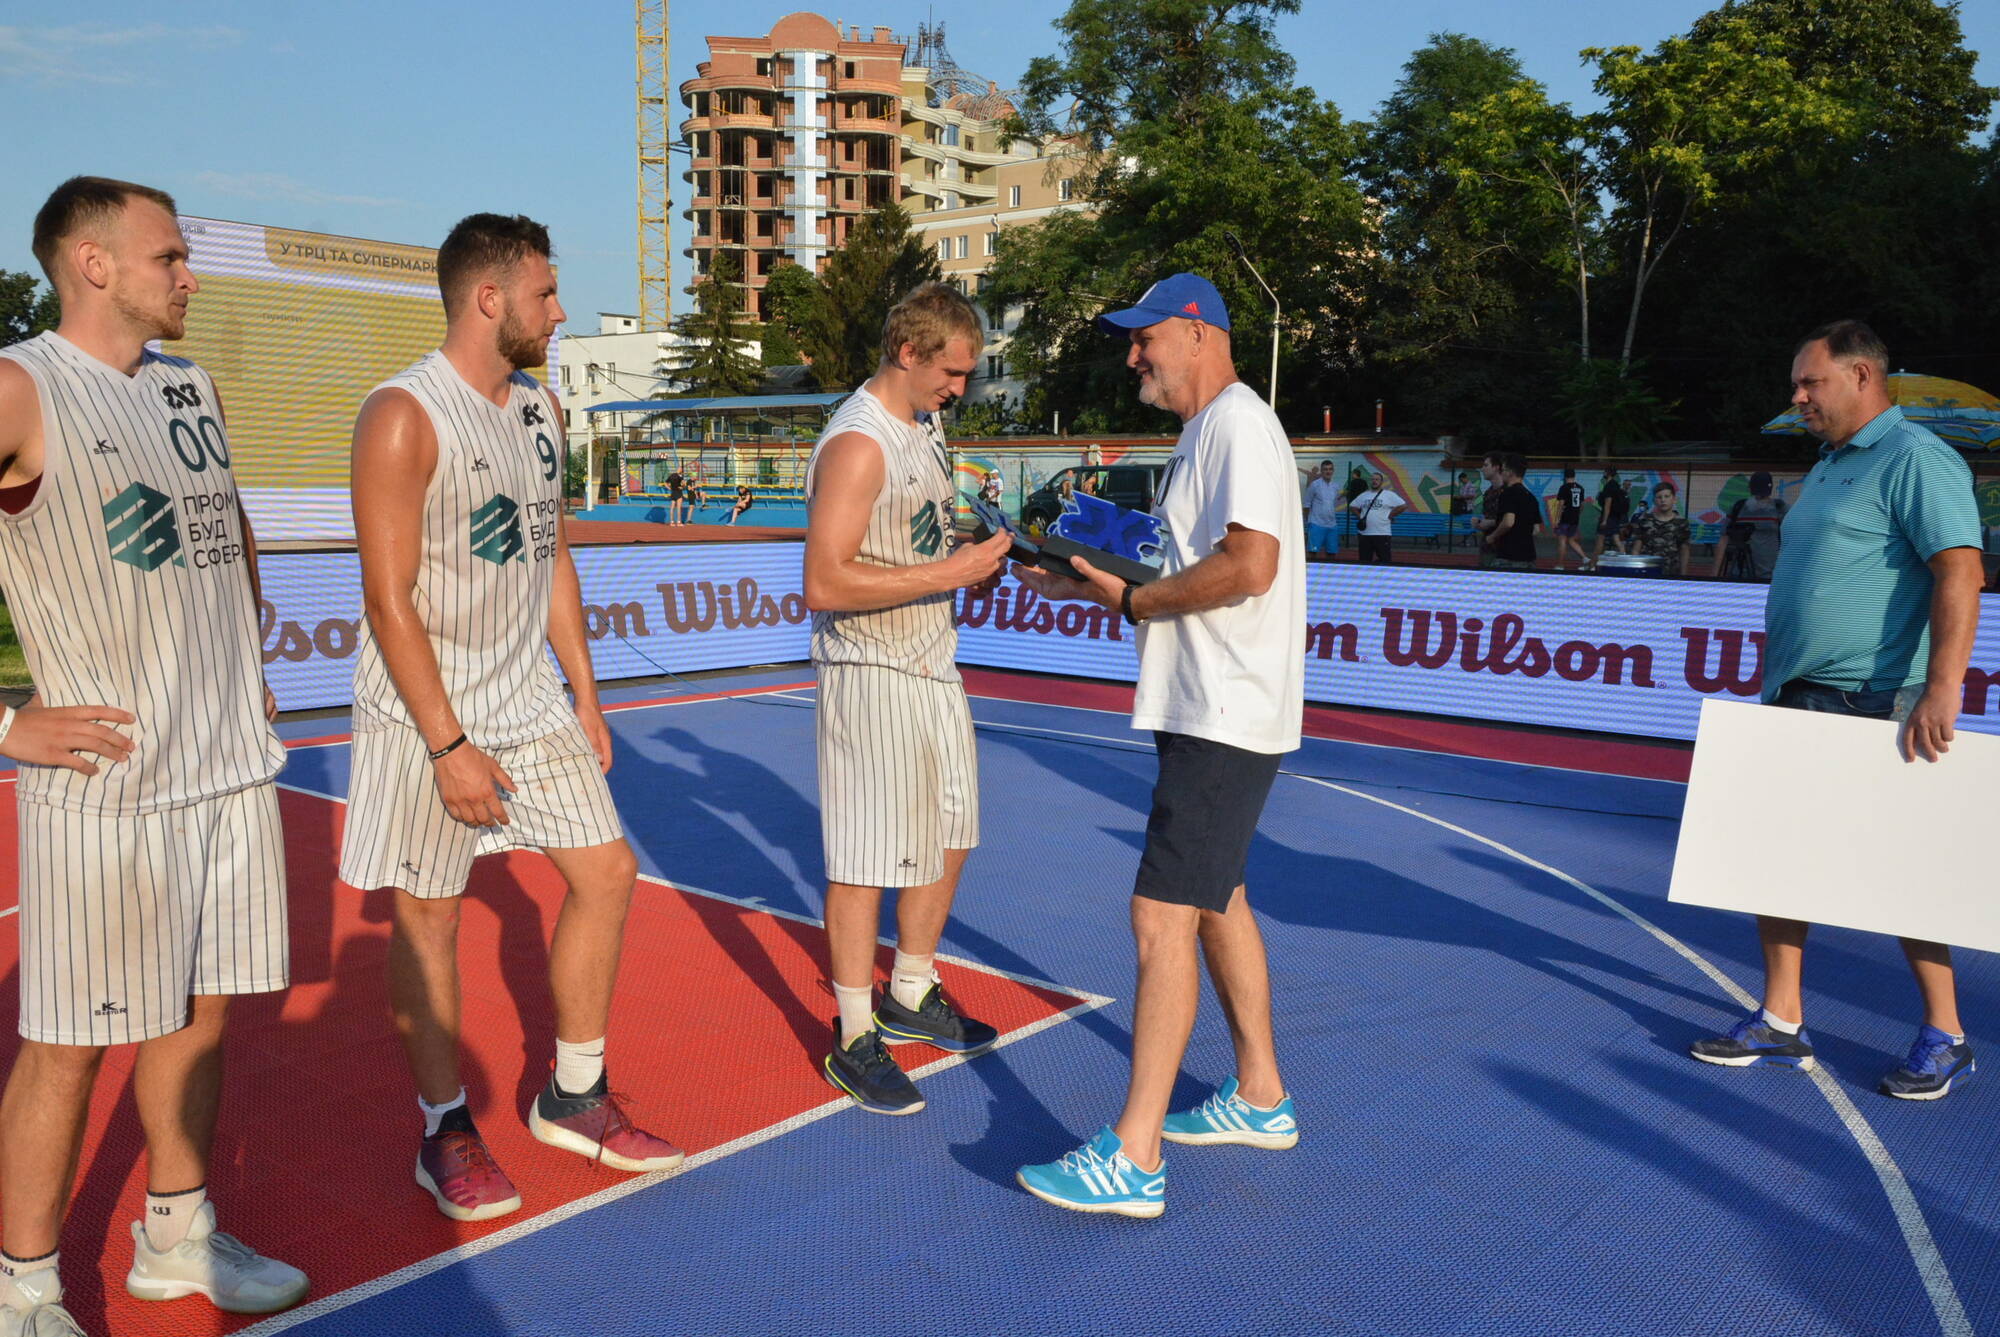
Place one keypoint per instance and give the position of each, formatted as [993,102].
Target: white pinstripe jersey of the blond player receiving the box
[911,525]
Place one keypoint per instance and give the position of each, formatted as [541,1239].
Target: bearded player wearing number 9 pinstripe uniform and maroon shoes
[463,738]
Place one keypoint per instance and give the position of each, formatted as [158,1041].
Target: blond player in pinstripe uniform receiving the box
[899,782]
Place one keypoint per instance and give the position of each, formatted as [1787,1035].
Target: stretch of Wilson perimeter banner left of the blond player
[647,609]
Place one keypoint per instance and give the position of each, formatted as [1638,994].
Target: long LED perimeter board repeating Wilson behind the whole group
[1623,657]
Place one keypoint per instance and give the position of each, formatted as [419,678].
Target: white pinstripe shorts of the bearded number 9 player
[401,836]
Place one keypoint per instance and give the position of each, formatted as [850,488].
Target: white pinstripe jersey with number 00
[129,581]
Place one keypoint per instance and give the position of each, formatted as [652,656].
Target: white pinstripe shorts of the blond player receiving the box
[899,776]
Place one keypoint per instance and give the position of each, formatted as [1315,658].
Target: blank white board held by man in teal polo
[1819,818]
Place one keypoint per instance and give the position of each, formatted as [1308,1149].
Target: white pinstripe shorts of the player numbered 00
[125,918]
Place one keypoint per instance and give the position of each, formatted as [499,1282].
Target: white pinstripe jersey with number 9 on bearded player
[487,565]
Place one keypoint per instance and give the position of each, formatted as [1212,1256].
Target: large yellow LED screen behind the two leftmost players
[297,329]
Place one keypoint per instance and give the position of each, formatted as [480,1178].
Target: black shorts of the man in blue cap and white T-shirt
[1205,812]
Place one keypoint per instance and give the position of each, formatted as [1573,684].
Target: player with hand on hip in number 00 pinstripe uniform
[151,856]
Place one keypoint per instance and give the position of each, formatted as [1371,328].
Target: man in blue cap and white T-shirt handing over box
[1221,649]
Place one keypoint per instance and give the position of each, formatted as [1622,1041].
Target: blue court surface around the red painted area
[1483,1012]
